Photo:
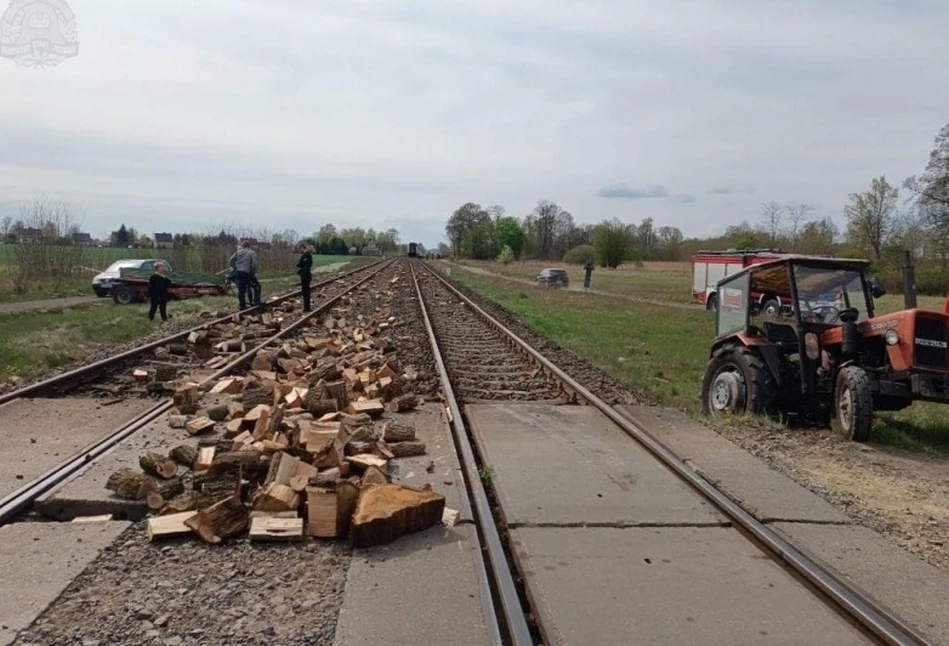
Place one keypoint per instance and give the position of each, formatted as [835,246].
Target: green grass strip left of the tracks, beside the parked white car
[35,342]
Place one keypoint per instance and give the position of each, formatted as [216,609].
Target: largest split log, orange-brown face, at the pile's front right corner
[386,512]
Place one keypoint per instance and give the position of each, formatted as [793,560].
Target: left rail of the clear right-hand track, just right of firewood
[514,622]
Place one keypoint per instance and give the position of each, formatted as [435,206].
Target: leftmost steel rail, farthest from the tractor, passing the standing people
[74,378]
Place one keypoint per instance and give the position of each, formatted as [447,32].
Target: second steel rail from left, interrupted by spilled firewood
[16,502]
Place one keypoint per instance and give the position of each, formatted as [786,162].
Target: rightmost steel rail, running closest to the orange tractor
[878,620]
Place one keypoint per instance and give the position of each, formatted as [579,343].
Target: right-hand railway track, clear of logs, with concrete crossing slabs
[480,360]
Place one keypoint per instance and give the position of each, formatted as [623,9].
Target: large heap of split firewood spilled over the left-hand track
[298,446]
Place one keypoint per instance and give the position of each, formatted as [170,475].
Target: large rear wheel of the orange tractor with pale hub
[736,382]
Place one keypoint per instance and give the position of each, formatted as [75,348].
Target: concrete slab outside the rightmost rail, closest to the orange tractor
[762,491]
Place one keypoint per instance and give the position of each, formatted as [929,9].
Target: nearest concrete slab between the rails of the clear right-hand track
[668,585]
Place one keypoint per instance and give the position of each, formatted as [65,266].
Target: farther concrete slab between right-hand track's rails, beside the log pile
[571,465]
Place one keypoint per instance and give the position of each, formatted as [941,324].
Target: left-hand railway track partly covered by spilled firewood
[329,293]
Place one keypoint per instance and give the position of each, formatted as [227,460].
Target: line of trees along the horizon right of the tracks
[879,223]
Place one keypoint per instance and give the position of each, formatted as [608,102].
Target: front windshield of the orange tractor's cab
[824,292]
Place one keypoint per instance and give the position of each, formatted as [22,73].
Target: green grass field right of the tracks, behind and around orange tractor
[662,351]
